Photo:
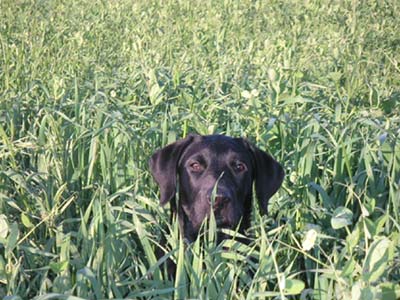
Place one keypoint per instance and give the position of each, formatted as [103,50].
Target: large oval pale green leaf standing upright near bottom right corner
[376,260]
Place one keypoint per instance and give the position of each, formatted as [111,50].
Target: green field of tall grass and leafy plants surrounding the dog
[90,89]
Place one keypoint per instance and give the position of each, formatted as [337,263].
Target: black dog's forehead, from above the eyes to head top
[217,146]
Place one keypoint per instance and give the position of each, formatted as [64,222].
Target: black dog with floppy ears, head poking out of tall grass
[228,166]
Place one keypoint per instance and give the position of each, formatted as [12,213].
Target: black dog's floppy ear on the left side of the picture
[163,166]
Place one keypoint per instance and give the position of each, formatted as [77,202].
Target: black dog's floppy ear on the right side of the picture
[268,176]
